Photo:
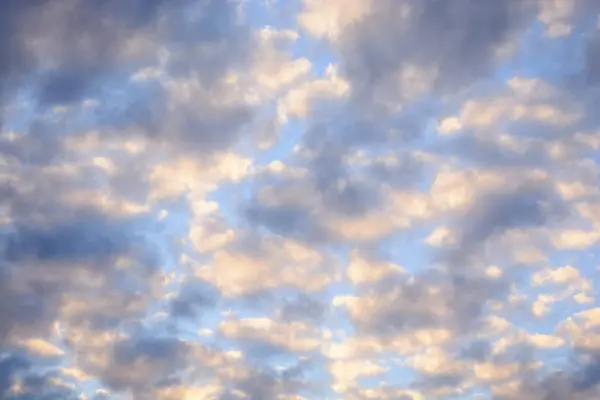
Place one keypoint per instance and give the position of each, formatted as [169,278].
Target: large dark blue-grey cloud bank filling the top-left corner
[90,46]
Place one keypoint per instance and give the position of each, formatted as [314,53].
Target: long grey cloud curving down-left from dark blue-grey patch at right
[463,292]
